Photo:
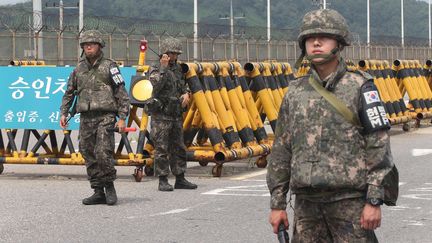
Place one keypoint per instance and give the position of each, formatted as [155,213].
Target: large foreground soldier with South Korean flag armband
[334,167]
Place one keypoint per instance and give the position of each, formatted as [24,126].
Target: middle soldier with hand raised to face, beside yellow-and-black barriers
[170,90]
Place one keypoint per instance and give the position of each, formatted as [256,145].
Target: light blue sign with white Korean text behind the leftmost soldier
[30,97]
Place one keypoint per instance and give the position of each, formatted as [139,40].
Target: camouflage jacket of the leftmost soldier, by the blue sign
[95,89]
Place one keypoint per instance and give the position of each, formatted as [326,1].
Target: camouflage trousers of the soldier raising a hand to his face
[169,148]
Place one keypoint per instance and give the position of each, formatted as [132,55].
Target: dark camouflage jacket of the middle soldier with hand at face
[168,86]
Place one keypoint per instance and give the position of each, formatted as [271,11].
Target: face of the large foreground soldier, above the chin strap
[316,45]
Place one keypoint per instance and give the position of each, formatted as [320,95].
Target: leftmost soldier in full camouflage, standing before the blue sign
[101,96]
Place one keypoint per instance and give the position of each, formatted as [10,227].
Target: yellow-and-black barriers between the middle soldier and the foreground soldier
[229,107]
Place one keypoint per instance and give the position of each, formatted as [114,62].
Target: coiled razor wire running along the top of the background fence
[20,20]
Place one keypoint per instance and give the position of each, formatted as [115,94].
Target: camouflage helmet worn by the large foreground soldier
[324,22]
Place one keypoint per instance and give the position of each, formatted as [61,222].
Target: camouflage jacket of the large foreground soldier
[319,155]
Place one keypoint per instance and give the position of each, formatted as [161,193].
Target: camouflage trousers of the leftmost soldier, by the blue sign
[96,145]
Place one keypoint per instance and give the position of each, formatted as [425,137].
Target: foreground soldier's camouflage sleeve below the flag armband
[379,162]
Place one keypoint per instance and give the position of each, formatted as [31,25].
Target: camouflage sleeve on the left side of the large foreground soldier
[279,161]
